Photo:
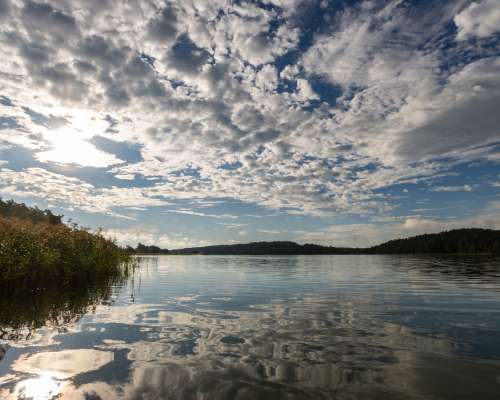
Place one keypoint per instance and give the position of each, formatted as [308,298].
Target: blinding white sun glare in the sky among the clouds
[68,146]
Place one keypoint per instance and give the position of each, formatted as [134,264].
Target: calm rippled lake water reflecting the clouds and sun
[311,327]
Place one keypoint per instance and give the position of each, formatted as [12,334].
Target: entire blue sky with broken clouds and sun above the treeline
[196,122]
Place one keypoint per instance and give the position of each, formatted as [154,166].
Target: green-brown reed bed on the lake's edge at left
[31,252]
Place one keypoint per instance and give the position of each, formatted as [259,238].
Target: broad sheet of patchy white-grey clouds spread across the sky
[197,95]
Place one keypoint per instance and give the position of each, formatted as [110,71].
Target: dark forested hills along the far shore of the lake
[470,241]
